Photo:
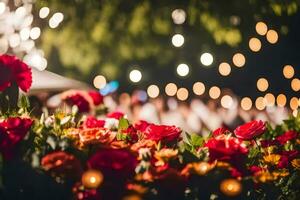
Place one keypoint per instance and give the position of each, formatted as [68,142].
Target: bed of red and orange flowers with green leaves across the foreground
[68,155]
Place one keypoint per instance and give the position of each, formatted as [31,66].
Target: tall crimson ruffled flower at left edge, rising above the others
[13,70]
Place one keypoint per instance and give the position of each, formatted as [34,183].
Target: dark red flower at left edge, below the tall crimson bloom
[12,131]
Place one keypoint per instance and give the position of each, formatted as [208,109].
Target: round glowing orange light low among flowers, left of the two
[92,179]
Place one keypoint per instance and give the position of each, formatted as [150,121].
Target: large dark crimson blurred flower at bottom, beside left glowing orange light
[115,164]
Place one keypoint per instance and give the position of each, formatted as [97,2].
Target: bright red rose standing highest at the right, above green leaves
[250,130]
